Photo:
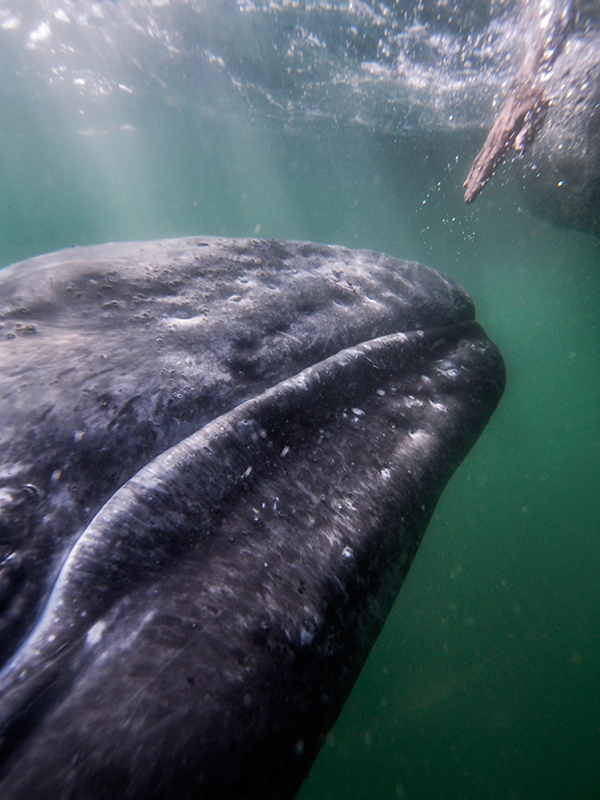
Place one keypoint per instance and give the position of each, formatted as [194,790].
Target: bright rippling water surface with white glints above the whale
[393,66]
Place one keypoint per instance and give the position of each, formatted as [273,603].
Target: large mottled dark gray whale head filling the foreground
[218,458]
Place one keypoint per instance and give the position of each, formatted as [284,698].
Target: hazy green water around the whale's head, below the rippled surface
[484,683]
